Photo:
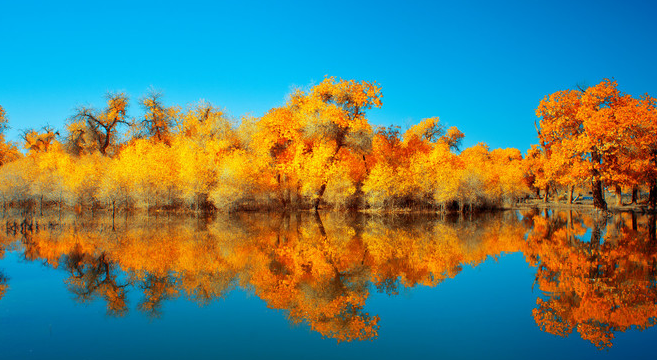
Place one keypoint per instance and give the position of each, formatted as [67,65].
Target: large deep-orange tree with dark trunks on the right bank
[596,135]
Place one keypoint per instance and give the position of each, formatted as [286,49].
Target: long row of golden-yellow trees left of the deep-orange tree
[318,147]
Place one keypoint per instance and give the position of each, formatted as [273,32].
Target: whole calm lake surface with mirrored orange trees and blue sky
[510,285]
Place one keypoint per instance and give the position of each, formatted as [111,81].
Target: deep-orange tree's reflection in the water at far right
[597,285]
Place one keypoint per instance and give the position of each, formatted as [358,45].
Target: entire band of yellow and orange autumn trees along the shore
[319,151]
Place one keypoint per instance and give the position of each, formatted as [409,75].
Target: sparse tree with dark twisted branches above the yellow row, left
[91,128]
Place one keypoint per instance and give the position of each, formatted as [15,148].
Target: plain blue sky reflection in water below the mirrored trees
[483,312]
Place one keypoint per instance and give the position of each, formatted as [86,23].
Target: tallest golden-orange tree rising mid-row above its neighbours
[308,138]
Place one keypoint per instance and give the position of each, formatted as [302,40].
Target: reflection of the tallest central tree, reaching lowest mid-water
[318,276]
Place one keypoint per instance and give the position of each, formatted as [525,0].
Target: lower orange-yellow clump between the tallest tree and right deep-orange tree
[423,169]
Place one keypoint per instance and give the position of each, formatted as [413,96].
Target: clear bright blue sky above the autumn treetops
[481,66]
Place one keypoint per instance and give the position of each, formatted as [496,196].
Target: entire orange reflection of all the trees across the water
[596,275]
